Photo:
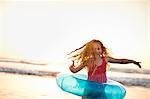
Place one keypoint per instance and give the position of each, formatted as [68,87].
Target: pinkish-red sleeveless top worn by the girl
[98,73]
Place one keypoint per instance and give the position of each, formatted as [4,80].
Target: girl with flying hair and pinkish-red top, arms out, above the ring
[94,56]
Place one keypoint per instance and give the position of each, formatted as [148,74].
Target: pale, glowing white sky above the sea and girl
[48,30]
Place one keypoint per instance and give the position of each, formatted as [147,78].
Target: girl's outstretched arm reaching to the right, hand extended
[123,61]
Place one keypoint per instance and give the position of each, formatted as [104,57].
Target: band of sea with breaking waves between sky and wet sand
[126,76]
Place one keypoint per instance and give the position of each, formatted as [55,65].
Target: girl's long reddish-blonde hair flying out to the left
[85,54]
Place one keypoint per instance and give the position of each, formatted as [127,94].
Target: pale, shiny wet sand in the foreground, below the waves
[14,86]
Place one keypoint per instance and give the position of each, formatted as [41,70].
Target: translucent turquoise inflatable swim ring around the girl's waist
[78,84]
